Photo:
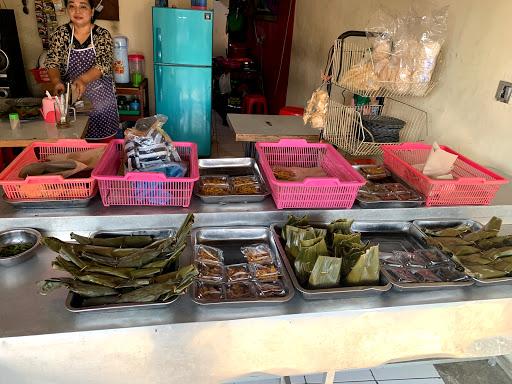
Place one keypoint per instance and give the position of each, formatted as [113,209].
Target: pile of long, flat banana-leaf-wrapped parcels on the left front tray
[126,269]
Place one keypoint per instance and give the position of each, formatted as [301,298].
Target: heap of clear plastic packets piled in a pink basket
[148,148]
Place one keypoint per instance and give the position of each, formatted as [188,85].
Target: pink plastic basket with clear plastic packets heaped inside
[145,188]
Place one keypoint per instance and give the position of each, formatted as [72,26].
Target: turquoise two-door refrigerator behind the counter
[182,48]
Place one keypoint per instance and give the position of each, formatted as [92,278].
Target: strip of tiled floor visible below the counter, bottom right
[472,372]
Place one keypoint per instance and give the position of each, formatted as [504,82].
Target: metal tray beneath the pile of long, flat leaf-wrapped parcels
[76,303]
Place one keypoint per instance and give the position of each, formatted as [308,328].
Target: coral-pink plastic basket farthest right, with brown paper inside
[473,184]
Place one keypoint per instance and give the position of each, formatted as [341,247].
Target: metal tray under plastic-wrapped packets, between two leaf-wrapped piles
[229,240]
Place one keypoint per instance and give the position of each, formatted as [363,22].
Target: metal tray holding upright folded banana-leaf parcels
[326,293]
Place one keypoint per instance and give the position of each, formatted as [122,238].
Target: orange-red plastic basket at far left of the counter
[47,187]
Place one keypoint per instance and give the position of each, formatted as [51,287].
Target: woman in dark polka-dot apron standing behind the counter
[82,53]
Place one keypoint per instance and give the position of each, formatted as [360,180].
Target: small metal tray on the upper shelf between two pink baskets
[244,166]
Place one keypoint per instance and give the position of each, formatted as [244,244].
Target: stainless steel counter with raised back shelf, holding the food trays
[40,341]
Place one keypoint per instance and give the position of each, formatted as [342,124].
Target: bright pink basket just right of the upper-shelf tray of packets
[337,191]
